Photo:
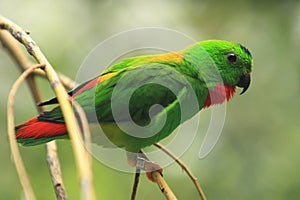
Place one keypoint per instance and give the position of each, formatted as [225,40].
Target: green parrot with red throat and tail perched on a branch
[201,75]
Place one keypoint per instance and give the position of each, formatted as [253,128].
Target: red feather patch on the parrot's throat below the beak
[219,95]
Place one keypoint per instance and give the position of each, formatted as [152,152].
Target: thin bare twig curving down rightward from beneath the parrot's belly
[185,168]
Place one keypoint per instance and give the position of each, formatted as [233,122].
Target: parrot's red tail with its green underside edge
[35,131]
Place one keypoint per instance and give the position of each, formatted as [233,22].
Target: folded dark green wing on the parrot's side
[143,86]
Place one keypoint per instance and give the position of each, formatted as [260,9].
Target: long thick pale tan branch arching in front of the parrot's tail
[81,155]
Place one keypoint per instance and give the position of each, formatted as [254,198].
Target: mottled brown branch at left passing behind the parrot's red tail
[51,149]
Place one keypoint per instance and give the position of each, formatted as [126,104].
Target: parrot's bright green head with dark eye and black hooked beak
[233,62]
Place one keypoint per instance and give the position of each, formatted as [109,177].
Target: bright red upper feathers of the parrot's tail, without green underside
[38,129]
